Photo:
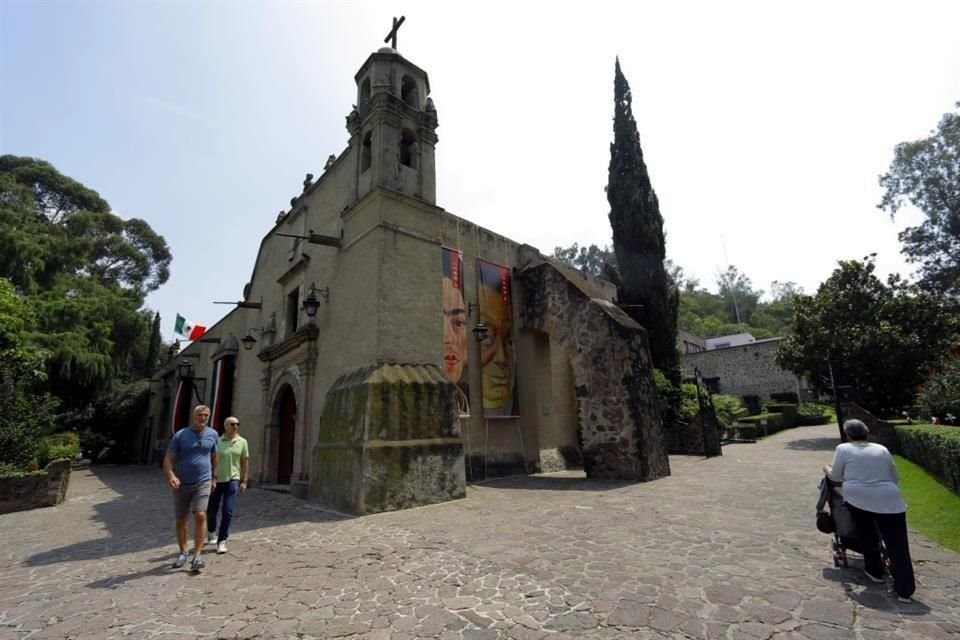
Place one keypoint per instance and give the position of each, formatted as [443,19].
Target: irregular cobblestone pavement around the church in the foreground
[724,548]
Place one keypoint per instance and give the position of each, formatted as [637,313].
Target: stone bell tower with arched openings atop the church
[393,127]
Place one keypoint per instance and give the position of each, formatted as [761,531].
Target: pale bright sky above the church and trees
[764,124]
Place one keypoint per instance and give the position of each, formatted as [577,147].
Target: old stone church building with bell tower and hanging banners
[386,351]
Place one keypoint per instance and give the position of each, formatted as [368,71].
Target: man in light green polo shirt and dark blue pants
[233,474]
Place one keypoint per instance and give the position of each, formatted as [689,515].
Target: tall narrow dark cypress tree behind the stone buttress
[645,289]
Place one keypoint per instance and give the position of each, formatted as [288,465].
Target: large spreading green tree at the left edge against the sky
[84,272]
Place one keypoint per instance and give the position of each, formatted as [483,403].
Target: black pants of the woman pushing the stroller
[892,528]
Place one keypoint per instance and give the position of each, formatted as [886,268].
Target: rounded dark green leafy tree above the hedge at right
[877,336]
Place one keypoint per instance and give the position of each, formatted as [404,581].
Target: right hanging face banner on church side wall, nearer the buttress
[497,360]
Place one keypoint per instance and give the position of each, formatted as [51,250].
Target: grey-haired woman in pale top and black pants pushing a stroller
[869,477]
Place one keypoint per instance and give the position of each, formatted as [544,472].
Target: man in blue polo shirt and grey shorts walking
[189,464]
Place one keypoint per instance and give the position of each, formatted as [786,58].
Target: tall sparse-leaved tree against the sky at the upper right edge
[926,173]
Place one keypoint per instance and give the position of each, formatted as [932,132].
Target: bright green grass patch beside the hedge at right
[933,510]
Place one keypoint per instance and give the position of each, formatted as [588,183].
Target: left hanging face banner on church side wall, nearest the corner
[455,326]
